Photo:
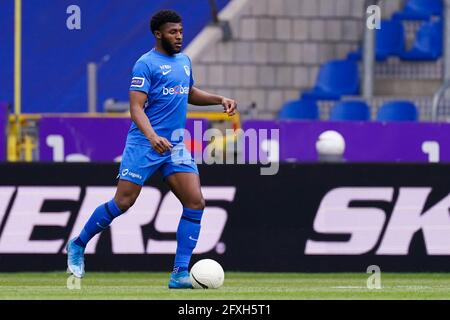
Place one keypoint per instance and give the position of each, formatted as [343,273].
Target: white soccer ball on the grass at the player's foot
[207,274]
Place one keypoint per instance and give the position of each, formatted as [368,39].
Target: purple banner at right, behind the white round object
[364,141]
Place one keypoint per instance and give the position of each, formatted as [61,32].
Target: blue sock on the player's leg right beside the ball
[187,236]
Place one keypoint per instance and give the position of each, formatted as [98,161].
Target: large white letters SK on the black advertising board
[356,213]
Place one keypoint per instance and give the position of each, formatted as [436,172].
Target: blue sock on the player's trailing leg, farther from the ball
[99,221]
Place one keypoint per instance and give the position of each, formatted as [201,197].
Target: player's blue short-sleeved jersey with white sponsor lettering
[167,81]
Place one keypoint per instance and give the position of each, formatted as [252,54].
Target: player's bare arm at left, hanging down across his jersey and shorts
[137,102]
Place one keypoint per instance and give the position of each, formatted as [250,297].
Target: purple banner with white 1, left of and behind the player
[83,139]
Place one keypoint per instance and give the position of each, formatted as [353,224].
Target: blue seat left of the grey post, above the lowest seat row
[336,78]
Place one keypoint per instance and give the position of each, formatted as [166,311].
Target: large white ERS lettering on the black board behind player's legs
[21,210]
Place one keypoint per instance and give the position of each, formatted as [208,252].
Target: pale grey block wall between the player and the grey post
[276,50]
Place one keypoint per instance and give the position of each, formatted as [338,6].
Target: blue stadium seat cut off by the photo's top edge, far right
[420,10]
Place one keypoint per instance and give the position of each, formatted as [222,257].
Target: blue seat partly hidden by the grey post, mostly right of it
[390,40]
